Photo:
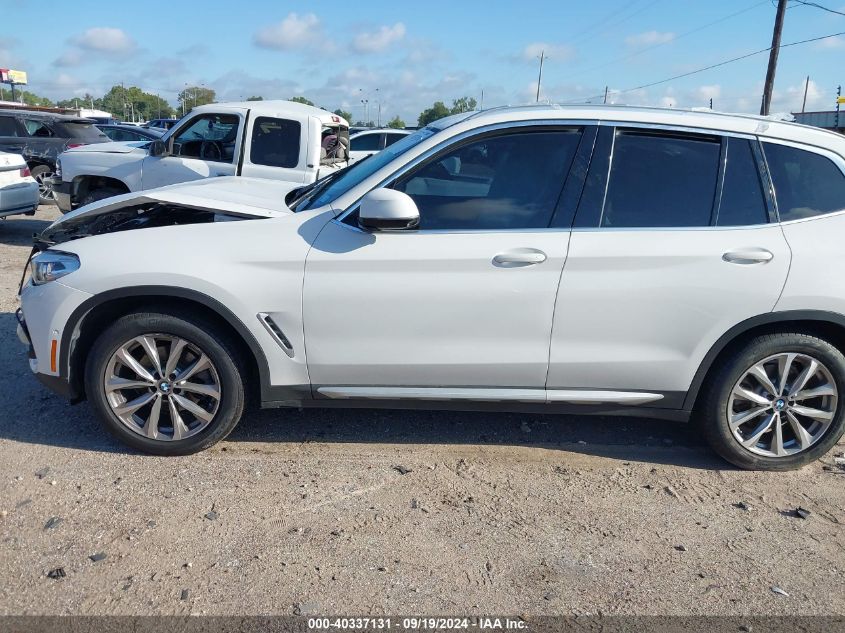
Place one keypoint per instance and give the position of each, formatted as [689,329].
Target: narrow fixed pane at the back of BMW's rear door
[742,201]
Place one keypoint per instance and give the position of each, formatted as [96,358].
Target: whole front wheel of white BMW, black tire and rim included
[165,383]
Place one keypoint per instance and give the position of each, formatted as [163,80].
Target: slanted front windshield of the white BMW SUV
[327,190]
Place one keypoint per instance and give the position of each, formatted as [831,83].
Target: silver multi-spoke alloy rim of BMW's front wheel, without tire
[162,387]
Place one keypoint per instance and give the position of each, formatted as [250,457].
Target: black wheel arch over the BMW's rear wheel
[827,325]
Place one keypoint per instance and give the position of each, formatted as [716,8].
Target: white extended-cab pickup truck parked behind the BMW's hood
[280,140]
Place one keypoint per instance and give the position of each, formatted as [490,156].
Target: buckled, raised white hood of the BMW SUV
[211,200]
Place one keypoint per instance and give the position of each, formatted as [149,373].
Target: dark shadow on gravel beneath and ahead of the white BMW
[30,413]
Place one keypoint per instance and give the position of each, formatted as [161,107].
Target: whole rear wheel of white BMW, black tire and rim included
[776,403]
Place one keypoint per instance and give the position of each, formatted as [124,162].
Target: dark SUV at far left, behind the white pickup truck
[40,137]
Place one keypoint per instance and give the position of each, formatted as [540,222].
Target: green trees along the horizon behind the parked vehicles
[134,104]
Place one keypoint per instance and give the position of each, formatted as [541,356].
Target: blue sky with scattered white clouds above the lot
[406,56]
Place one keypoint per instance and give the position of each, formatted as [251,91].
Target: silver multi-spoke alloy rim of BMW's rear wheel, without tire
[782,405]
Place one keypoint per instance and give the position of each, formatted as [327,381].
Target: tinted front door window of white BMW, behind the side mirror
[504,182]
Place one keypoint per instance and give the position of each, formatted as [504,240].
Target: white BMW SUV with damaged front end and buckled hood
[604,260]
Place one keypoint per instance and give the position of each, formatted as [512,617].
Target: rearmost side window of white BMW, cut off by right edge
[806,184]
